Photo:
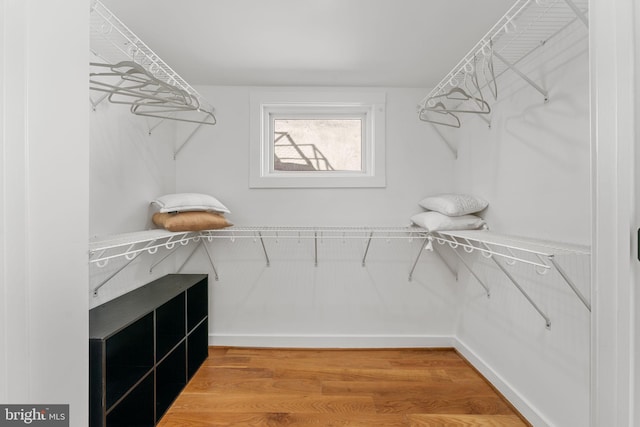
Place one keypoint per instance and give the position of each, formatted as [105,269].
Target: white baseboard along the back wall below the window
[332,341]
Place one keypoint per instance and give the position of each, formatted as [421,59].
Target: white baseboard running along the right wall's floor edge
[516,399]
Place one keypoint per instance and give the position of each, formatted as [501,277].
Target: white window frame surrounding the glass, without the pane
[267,106]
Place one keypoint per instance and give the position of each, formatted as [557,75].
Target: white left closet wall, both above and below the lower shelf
[129,167]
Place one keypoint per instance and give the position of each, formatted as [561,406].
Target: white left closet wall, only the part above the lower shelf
[129,167]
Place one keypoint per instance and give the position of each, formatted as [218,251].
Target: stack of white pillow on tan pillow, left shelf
[190,212]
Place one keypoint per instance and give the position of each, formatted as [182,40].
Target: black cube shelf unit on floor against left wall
[144,347]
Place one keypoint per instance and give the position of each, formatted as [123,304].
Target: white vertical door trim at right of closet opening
[611,67]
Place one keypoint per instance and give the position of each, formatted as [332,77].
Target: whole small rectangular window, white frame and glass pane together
[317,139]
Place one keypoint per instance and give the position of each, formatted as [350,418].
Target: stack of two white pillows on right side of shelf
[450,212]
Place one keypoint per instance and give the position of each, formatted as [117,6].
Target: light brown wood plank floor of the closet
[276,387]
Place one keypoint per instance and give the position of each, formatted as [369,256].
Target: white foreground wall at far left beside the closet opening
[44,205]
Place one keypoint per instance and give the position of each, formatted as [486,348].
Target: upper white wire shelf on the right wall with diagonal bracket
[526,26]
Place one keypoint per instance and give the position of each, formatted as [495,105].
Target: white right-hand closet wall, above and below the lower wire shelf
[533,166]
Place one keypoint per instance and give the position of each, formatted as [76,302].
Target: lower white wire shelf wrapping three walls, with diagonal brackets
[510,250]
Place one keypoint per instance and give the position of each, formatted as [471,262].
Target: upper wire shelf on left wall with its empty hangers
[113,42]
